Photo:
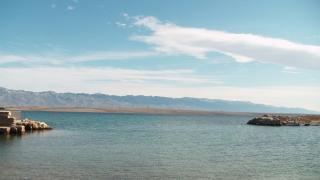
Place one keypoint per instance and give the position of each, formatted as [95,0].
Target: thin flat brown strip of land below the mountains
[138,110]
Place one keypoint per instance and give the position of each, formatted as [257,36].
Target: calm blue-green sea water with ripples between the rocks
[135,146]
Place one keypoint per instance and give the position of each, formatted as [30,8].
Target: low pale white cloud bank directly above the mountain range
[147,82]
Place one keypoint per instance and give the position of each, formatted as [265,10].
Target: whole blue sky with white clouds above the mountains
[264,52]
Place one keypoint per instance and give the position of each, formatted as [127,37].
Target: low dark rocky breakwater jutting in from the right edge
[286,120]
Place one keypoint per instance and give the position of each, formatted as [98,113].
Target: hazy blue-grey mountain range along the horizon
[52,99]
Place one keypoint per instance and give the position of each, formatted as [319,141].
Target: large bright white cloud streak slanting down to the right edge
[198,42]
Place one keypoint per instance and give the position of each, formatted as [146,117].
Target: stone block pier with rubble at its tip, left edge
[12,123]
